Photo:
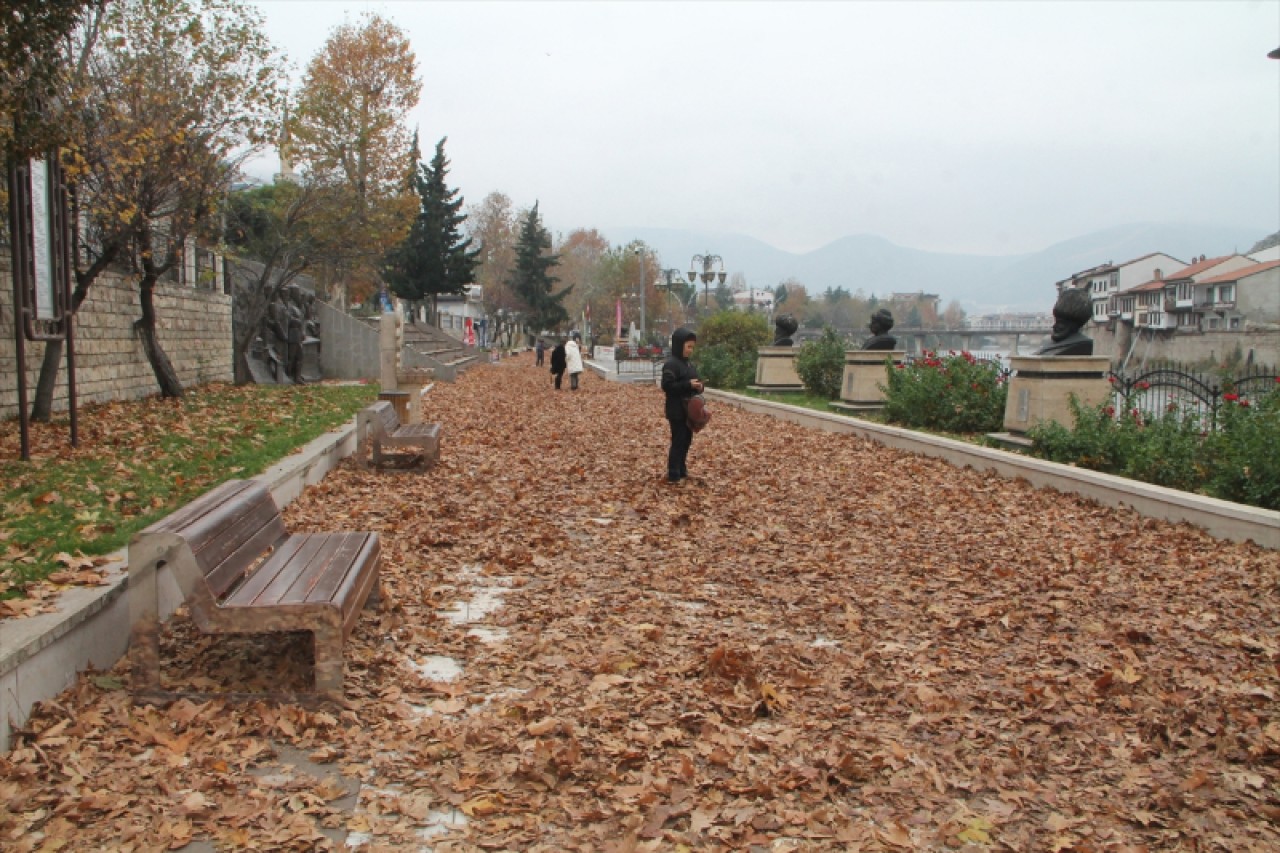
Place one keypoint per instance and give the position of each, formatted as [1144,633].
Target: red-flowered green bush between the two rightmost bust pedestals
[956,394]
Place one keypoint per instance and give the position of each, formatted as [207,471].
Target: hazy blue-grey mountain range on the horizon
[981,284]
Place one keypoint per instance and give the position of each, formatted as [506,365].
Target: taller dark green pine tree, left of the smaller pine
[435,258]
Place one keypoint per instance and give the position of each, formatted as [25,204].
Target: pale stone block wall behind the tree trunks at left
[195,331]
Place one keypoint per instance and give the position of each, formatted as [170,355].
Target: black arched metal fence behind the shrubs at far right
[1171,387]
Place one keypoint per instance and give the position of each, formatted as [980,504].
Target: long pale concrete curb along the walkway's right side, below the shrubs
[1222,519]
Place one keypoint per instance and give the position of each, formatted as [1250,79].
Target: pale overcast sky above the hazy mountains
[970,127]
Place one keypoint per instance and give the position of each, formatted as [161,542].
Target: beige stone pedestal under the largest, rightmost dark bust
[1043,386]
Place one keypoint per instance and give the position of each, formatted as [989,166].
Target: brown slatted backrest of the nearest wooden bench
[228,530]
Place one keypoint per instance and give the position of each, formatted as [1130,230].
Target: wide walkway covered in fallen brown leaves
[822,645]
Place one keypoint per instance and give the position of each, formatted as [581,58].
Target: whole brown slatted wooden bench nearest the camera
[243,573]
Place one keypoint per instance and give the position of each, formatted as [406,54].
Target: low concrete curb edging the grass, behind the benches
[40,656]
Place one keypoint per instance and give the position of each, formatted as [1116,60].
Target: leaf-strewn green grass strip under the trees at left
[139,462]
